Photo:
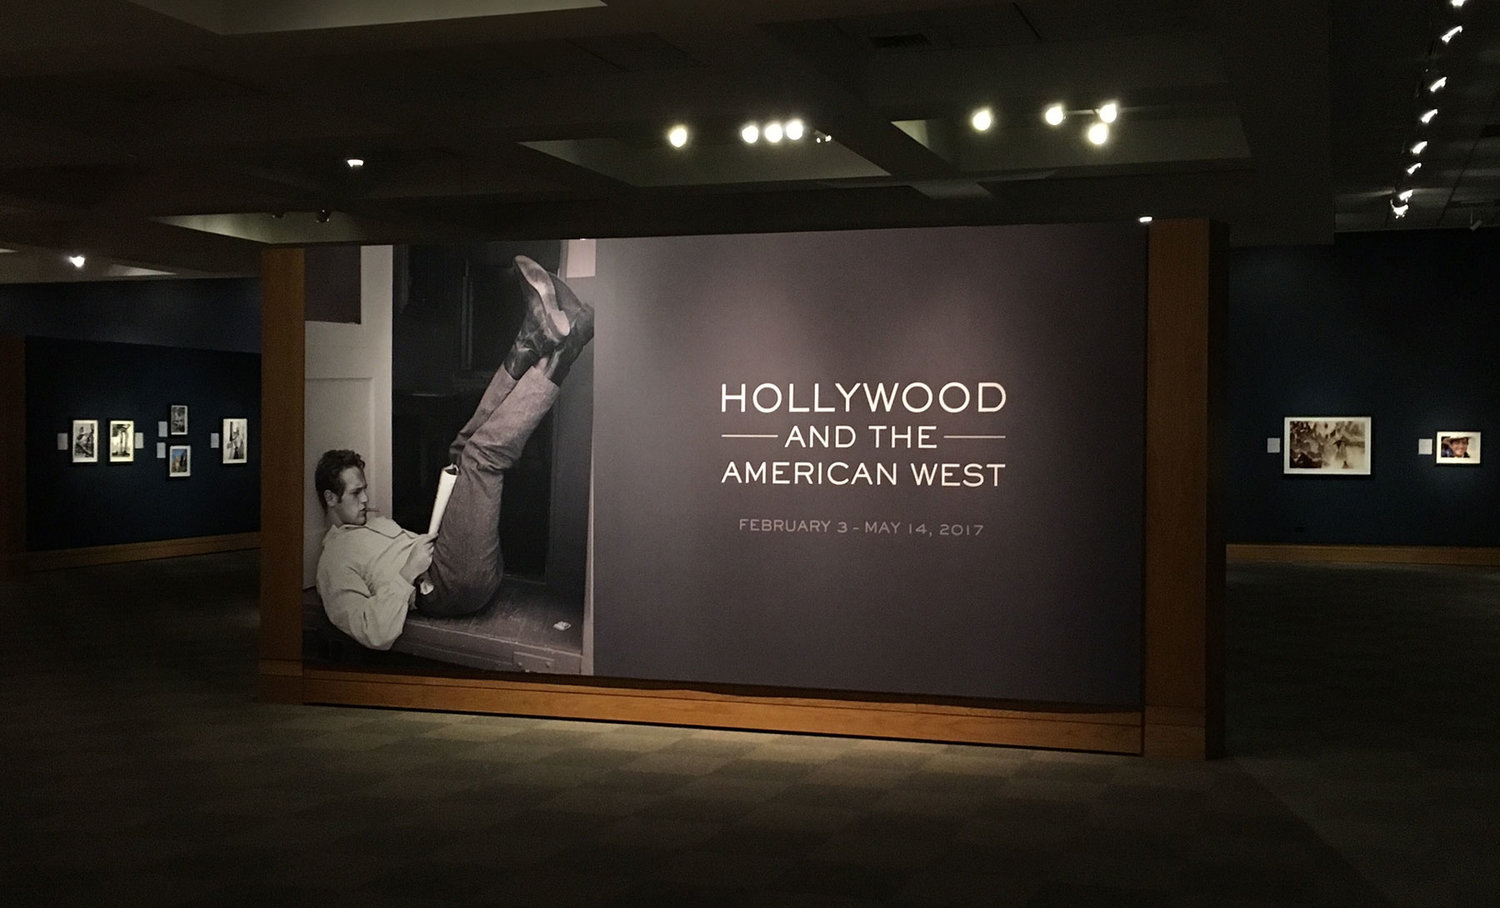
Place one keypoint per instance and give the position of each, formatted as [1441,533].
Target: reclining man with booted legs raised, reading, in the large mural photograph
[371,571]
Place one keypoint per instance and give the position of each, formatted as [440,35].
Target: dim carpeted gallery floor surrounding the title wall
[136,771]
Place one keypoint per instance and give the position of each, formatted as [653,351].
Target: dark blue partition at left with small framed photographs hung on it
[85,505]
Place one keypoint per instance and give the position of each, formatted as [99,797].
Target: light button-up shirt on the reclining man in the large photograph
[361,585]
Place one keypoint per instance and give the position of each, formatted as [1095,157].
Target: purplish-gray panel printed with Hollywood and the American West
[1045,604]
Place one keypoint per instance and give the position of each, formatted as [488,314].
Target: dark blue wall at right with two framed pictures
[1399,326]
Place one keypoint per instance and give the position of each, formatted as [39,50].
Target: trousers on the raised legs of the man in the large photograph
[467,562]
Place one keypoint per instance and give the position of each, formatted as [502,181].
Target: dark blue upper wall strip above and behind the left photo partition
[203,314]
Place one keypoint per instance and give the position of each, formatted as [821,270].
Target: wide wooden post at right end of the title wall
[1184,565]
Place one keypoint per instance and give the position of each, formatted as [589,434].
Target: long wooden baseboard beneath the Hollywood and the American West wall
[1103,730]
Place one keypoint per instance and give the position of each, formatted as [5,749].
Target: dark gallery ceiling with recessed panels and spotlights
[184,136]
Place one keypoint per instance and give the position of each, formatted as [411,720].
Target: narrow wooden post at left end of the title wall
[283,368]
